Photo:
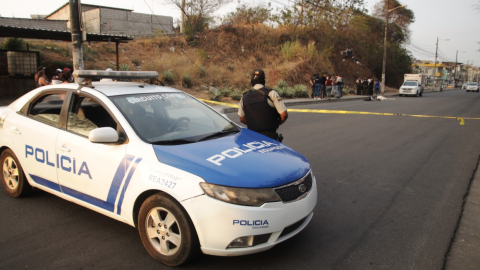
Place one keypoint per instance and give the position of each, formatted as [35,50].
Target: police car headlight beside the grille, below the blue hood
[242,196]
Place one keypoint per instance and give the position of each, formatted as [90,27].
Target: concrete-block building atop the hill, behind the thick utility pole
[116,21]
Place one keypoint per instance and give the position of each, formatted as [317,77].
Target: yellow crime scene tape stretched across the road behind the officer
[460,119]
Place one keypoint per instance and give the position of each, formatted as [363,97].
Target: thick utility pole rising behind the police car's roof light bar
[75,29]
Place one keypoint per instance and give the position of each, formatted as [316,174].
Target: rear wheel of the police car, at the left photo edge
[13,178]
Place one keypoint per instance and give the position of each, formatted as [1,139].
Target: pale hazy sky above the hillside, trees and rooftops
[458,21]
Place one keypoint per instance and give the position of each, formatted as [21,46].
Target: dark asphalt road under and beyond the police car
[390,188]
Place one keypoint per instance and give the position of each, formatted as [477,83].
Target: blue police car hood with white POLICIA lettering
[246,159]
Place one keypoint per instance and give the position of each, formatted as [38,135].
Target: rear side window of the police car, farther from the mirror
[47,108]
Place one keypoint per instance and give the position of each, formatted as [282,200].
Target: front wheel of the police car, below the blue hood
[166,230]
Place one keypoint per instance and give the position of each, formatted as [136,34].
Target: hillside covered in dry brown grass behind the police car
[222,58]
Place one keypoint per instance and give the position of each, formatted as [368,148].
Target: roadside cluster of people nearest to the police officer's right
[326,85]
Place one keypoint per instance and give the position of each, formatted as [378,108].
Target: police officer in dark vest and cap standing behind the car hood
[261,108]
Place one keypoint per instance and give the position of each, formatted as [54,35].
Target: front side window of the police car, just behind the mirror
[86,114]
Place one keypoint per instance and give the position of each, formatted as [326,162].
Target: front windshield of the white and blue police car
[171,118]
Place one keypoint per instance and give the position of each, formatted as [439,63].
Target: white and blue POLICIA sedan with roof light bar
[158,159]
